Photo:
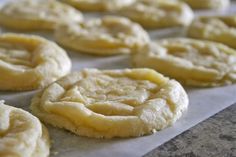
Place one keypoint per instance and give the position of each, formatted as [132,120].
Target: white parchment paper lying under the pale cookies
[204,102]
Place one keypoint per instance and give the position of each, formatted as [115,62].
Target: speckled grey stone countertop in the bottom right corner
[214,137]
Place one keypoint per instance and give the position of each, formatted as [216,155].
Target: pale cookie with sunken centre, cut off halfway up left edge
[30,62]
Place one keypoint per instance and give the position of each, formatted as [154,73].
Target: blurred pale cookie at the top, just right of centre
[153,14]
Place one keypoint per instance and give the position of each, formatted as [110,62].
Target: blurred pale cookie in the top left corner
[37,14]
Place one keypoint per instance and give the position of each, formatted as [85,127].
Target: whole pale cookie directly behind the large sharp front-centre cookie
[103,36]
